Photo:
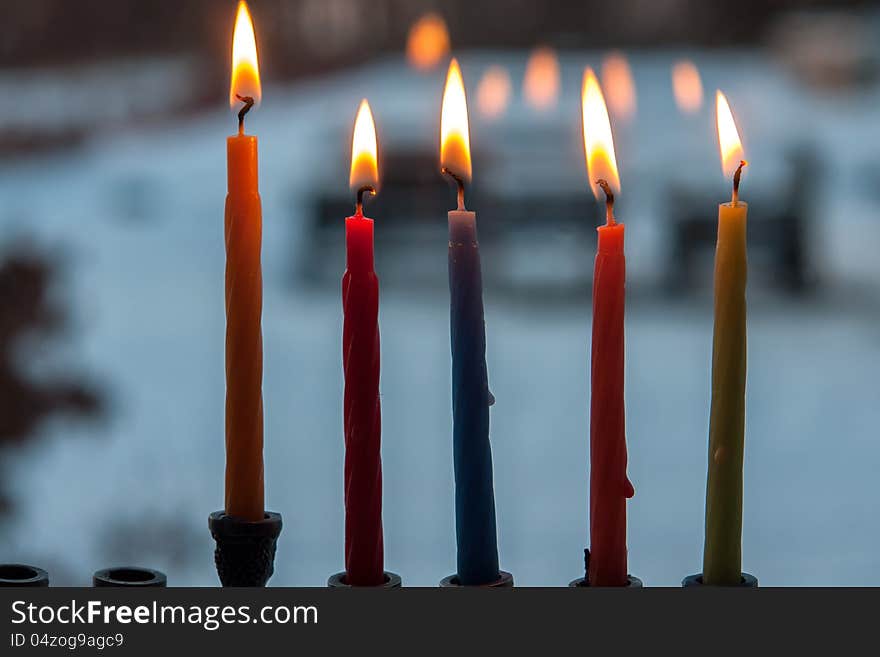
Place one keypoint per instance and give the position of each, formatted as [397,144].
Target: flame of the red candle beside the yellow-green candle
[598,142]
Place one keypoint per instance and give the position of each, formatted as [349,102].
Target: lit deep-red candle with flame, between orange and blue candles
[360,356]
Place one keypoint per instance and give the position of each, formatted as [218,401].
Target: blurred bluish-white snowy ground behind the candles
[139,217]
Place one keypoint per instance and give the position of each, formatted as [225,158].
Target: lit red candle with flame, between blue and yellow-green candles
[609,485]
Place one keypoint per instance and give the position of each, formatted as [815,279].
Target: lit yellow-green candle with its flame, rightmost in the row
[722,555]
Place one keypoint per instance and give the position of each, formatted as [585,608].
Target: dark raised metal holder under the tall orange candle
[245,552]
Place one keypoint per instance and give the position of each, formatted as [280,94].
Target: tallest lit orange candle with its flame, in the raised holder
[244,290]
